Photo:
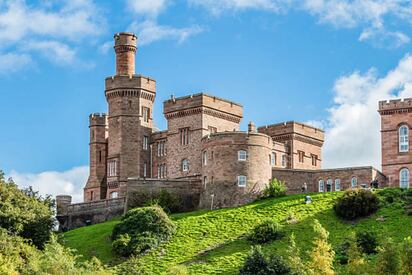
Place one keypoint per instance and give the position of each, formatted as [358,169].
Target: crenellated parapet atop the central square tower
[200,100]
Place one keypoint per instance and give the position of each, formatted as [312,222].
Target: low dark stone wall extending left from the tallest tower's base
[82,214]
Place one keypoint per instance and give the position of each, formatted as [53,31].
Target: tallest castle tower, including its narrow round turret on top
[130,98]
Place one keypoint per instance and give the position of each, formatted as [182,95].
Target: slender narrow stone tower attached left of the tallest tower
[95,188]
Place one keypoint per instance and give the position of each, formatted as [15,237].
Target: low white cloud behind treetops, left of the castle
[70,182]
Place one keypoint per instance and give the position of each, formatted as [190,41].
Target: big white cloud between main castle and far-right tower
[353,133]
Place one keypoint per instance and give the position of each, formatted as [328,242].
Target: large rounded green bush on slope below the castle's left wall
[140,230]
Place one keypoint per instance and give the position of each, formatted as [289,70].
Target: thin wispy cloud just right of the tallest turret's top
[149,31]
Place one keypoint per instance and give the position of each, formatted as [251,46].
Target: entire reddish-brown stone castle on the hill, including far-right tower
[202,155]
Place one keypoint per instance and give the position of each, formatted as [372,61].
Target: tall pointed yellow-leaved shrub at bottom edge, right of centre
[321,257]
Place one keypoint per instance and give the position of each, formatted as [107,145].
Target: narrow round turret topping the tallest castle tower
[125,47]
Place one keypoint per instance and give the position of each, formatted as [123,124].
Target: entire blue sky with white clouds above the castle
[326,63]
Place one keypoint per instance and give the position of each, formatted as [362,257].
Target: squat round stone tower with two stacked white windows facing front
[237,168]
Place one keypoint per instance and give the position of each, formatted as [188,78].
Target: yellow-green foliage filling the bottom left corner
[17,256]
